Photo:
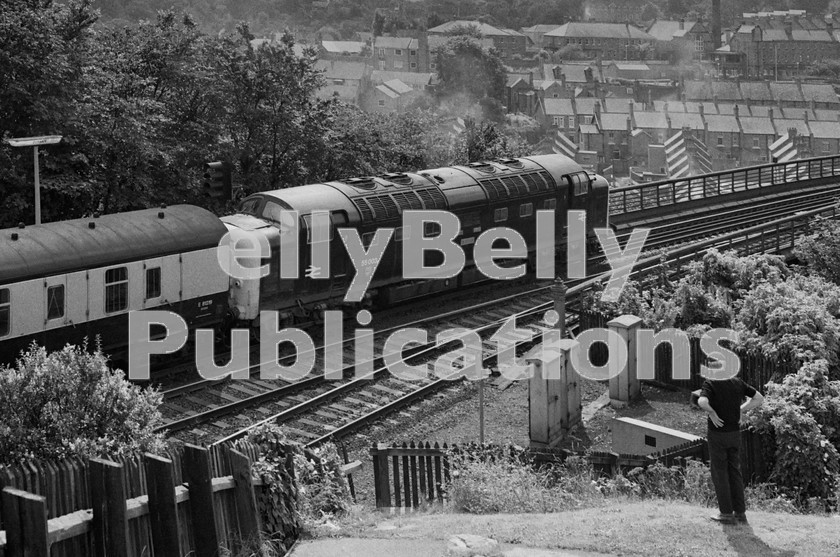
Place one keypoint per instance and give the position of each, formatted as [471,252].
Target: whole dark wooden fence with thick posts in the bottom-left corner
[139,506]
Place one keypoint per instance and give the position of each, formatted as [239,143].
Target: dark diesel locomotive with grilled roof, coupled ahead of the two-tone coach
[505,193]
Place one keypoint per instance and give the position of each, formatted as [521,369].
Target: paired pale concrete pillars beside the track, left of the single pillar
[554,405]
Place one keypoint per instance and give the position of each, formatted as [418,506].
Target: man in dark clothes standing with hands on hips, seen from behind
[723,401]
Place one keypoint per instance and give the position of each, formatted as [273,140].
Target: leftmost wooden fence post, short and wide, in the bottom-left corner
[25,520]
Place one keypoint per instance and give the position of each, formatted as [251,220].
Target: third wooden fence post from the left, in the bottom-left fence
[163,509]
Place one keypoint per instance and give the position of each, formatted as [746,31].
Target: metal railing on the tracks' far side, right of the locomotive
[627,200]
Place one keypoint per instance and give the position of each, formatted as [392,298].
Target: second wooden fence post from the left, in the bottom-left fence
[107,492]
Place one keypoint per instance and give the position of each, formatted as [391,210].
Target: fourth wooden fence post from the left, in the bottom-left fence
[195,465]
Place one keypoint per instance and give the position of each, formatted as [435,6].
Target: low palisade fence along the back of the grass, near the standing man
[410,475]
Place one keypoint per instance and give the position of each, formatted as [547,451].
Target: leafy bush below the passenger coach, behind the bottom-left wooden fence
[70,403]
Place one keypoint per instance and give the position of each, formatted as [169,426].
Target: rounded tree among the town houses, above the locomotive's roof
[464,67]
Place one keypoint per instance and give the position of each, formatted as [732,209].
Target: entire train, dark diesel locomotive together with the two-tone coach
[61,282]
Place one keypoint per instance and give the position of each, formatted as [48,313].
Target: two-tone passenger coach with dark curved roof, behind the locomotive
[61,282]
